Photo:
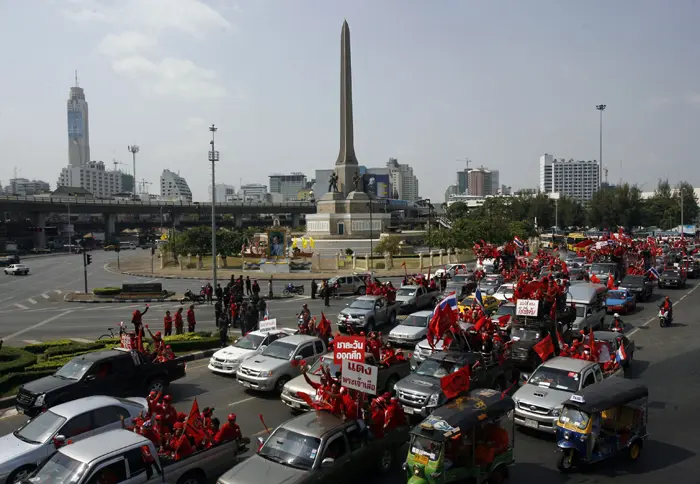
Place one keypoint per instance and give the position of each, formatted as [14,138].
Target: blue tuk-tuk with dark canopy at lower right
[602,420]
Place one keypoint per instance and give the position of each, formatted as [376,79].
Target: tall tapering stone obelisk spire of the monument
[346,164]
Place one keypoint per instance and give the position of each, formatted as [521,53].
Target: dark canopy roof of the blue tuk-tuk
[608,393]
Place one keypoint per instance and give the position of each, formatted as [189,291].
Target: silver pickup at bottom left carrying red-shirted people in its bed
[122,456]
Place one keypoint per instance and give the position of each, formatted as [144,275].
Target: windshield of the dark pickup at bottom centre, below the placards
[291,449]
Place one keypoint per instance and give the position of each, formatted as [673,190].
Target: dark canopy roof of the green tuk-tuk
[463,413]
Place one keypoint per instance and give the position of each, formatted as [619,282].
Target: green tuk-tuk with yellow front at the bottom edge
[469,439]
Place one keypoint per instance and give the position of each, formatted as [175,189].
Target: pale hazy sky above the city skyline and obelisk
[434,82]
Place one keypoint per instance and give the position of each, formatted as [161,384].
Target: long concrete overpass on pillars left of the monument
[39,207]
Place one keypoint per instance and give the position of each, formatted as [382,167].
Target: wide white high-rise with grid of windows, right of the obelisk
[574,179]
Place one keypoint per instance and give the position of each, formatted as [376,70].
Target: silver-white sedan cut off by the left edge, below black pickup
[28,447]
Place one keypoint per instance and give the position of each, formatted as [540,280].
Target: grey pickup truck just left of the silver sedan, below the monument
[366,313]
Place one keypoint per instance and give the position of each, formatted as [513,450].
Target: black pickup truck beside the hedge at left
[114,372]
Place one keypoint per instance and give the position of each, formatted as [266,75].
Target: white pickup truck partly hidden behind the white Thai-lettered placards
[387,377]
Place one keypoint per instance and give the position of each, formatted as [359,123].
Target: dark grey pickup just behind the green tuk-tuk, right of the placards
[420,392]
